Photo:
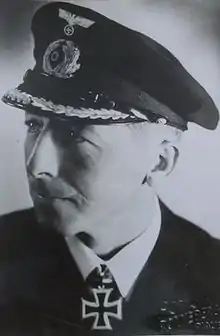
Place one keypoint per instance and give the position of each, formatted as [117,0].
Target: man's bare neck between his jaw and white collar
[121,228]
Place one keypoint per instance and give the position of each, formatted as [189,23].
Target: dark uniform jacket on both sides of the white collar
[41,287]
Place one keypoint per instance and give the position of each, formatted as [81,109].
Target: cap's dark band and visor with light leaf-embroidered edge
[104,98]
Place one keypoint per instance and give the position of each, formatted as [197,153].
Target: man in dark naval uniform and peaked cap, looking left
[105,110]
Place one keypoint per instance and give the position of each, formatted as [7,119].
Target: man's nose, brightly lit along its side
[44,159]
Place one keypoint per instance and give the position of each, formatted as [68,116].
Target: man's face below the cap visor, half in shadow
[81,176]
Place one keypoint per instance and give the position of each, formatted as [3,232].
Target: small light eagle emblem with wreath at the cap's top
[73,20]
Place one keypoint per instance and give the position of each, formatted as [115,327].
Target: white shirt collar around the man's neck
[138,250]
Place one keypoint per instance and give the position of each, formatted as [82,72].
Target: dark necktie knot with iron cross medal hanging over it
[104,302]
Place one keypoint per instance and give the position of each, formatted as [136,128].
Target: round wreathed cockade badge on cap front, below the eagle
[61,59]
